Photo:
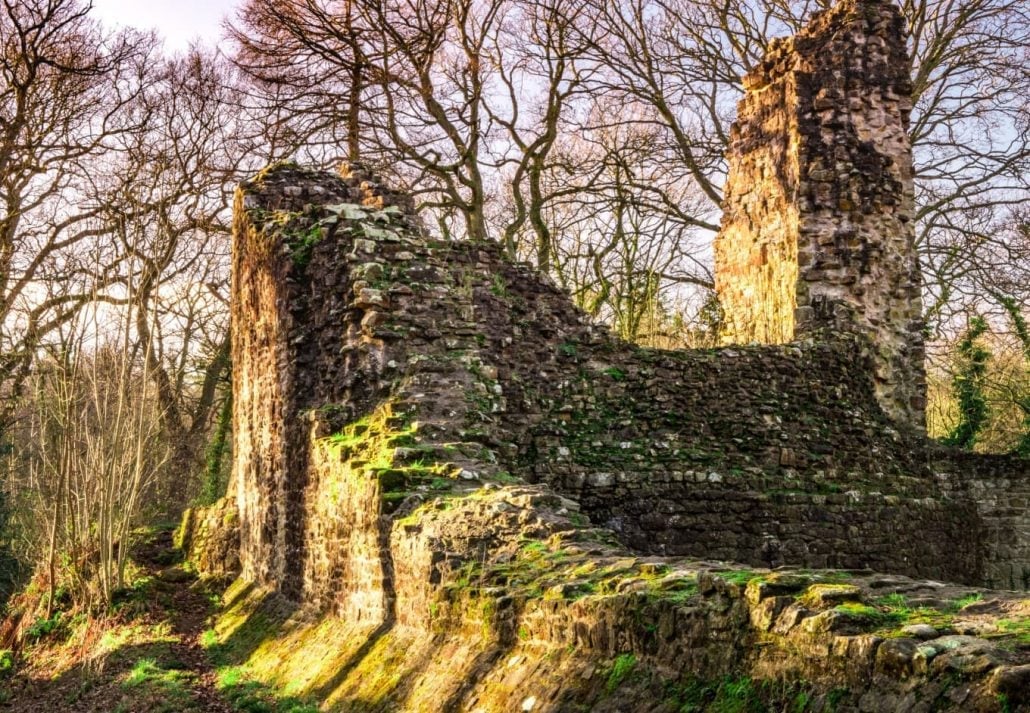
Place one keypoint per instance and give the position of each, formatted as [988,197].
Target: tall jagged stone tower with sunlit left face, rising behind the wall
[818,225]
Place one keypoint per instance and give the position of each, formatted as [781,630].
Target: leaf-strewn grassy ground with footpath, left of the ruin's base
[147,655]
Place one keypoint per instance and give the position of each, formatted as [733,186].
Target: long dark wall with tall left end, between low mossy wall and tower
[420,365]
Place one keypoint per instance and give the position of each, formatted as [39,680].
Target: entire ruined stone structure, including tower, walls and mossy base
[469,497]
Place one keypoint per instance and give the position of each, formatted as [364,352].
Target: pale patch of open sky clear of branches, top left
[179,22]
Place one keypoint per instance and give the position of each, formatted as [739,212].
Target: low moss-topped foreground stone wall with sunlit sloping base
[506,602]
